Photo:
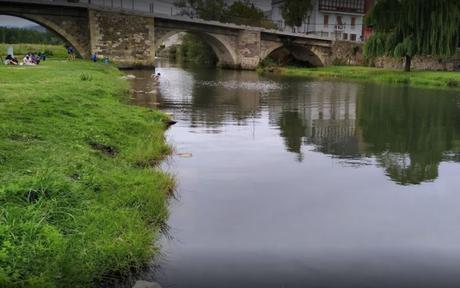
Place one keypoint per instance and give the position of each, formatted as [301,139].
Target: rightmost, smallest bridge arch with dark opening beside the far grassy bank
[309,55]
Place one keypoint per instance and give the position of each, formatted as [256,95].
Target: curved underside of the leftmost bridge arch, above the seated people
[56,27]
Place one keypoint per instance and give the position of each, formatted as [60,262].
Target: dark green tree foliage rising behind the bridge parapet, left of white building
[241,12]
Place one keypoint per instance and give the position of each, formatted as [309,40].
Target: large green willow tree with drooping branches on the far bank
[405,28]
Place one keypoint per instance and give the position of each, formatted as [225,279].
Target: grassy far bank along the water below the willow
[416,78]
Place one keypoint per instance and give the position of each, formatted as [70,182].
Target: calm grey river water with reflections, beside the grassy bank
[293,182]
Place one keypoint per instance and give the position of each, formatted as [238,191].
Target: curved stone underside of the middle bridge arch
[221,46]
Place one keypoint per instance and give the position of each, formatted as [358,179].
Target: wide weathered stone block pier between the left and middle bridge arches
[127,40]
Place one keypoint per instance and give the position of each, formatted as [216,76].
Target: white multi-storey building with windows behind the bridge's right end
[334,19]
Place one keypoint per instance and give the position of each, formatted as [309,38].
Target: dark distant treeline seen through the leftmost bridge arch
[28,35]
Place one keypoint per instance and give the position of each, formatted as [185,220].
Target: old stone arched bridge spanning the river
[130,37]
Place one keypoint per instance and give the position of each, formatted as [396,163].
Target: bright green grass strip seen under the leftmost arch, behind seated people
[52,51]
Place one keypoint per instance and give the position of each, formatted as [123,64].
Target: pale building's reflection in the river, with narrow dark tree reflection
[323,115]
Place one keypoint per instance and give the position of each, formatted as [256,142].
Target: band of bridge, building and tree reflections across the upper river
[409,131]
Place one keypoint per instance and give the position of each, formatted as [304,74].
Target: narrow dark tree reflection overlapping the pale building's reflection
[292,130]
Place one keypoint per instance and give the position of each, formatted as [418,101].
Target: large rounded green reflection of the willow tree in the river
[409,130]
